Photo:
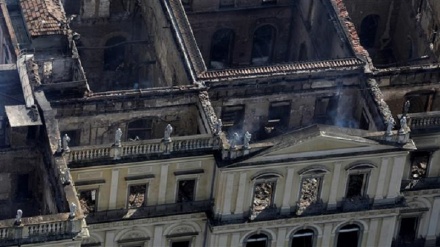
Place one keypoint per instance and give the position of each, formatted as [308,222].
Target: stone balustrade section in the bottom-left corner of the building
[39,229]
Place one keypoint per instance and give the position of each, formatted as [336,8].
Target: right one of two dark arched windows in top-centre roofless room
[263,41]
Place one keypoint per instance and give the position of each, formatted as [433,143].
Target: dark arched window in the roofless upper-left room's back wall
[114,53]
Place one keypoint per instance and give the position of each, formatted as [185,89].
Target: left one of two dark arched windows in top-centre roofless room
[221,48]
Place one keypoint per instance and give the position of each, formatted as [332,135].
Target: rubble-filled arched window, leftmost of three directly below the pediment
[263,197]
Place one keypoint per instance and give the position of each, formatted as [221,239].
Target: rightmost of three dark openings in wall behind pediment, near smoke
[326,109]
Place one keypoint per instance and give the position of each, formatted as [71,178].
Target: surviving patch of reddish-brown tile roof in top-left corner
[43,17]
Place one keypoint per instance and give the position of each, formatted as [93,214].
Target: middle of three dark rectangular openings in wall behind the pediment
[279,116]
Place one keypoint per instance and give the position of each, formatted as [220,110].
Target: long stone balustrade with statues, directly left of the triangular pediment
[143,148]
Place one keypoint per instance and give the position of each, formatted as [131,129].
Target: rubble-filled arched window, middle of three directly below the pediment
[309,194]
